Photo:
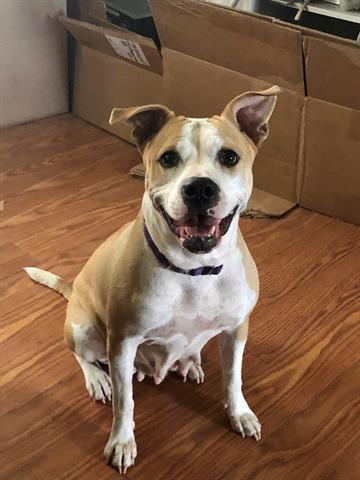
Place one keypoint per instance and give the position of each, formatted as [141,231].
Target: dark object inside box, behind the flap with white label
[133,15]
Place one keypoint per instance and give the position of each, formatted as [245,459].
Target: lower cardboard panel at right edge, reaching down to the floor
[331,169]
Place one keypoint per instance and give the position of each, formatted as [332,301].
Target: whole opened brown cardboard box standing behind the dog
[210,54]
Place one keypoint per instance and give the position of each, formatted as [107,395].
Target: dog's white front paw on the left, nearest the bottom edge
[120,453]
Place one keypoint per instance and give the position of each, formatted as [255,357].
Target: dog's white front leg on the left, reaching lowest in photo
[120,449]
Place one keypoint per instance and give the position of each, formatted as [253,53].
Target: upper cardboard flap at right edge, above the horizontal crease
[333,71]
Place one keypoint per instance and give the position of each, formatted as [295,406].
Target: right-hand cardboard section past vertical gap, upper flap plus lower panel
[329,170]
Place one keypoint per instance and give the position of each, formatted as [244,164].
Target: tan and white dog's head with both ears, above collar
[199,170]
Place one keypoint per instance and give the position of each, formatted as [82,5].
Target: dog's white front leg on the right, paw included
[232,346]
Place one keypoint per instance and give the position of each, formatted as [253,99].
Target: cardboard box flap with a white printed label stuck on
[121,44]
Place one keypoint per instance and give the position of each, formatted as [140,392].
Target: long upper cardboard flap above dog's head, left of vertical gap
[232,39]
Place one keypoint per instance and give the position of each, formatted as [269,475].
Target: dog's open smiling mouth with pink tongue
[199,233]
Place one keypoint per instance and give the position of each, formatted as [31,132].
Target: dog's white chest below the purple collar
[194,309]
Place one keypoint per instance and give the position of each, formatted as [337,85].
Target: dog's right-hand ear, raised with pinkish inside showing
[251,113]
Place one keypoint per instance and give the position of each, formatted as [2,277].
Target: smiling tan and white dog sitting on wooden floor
[155,292]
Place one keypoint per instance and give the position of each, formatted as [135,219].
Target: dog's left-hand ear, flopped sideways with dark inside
[146,121]
